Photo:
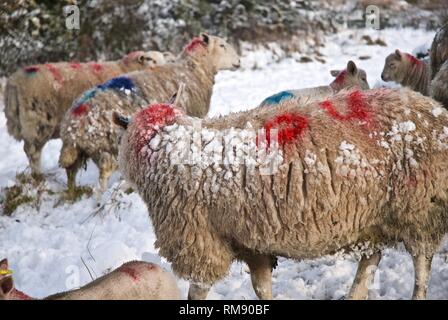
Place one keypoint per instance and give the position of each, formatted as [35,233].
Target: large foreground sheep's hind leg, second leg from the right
[364,277]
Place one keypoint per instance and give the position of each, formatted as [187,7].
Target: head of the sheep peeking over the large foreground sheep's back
[350,77]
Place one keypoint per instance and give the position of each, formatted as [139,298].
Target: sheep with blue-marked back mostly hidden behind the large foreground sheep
[348,78]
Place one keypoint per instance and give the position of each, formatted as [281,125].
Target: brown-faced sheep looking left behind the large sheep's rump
[407,70]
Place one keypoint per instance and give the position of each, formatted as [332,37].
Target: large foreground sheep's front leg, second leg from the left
[260,267]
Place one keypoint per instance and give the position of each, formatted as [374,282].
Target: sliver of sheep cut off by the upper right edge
[439,66]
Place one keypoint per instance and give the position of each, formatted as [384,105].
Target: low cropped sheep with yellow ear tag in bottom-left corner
[135,280]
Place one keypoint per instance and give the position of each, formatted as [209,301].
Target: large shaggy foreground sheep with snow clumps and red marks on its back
[360,168]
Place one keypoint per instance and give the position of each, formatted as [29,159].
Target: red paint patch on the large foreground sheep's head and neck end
[151,119]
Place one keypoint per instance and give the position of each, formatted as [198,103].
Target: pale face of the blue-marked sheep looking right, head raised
[223,55]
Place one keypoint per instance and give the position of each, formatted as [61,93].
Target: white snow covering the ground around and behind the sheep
[53,245]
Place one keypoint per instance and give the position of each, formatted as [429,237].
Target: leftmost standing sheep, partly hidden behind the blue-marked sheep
[36,97]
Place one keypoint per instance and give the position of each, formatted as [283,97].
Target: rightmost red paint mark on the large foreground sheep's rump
[357,108]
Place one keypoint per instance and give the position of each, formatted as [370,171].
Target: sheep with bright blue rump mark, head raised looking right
[87,130]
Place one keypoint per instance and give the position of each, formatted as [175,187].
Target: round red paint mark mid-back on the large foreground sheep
[290,126]
